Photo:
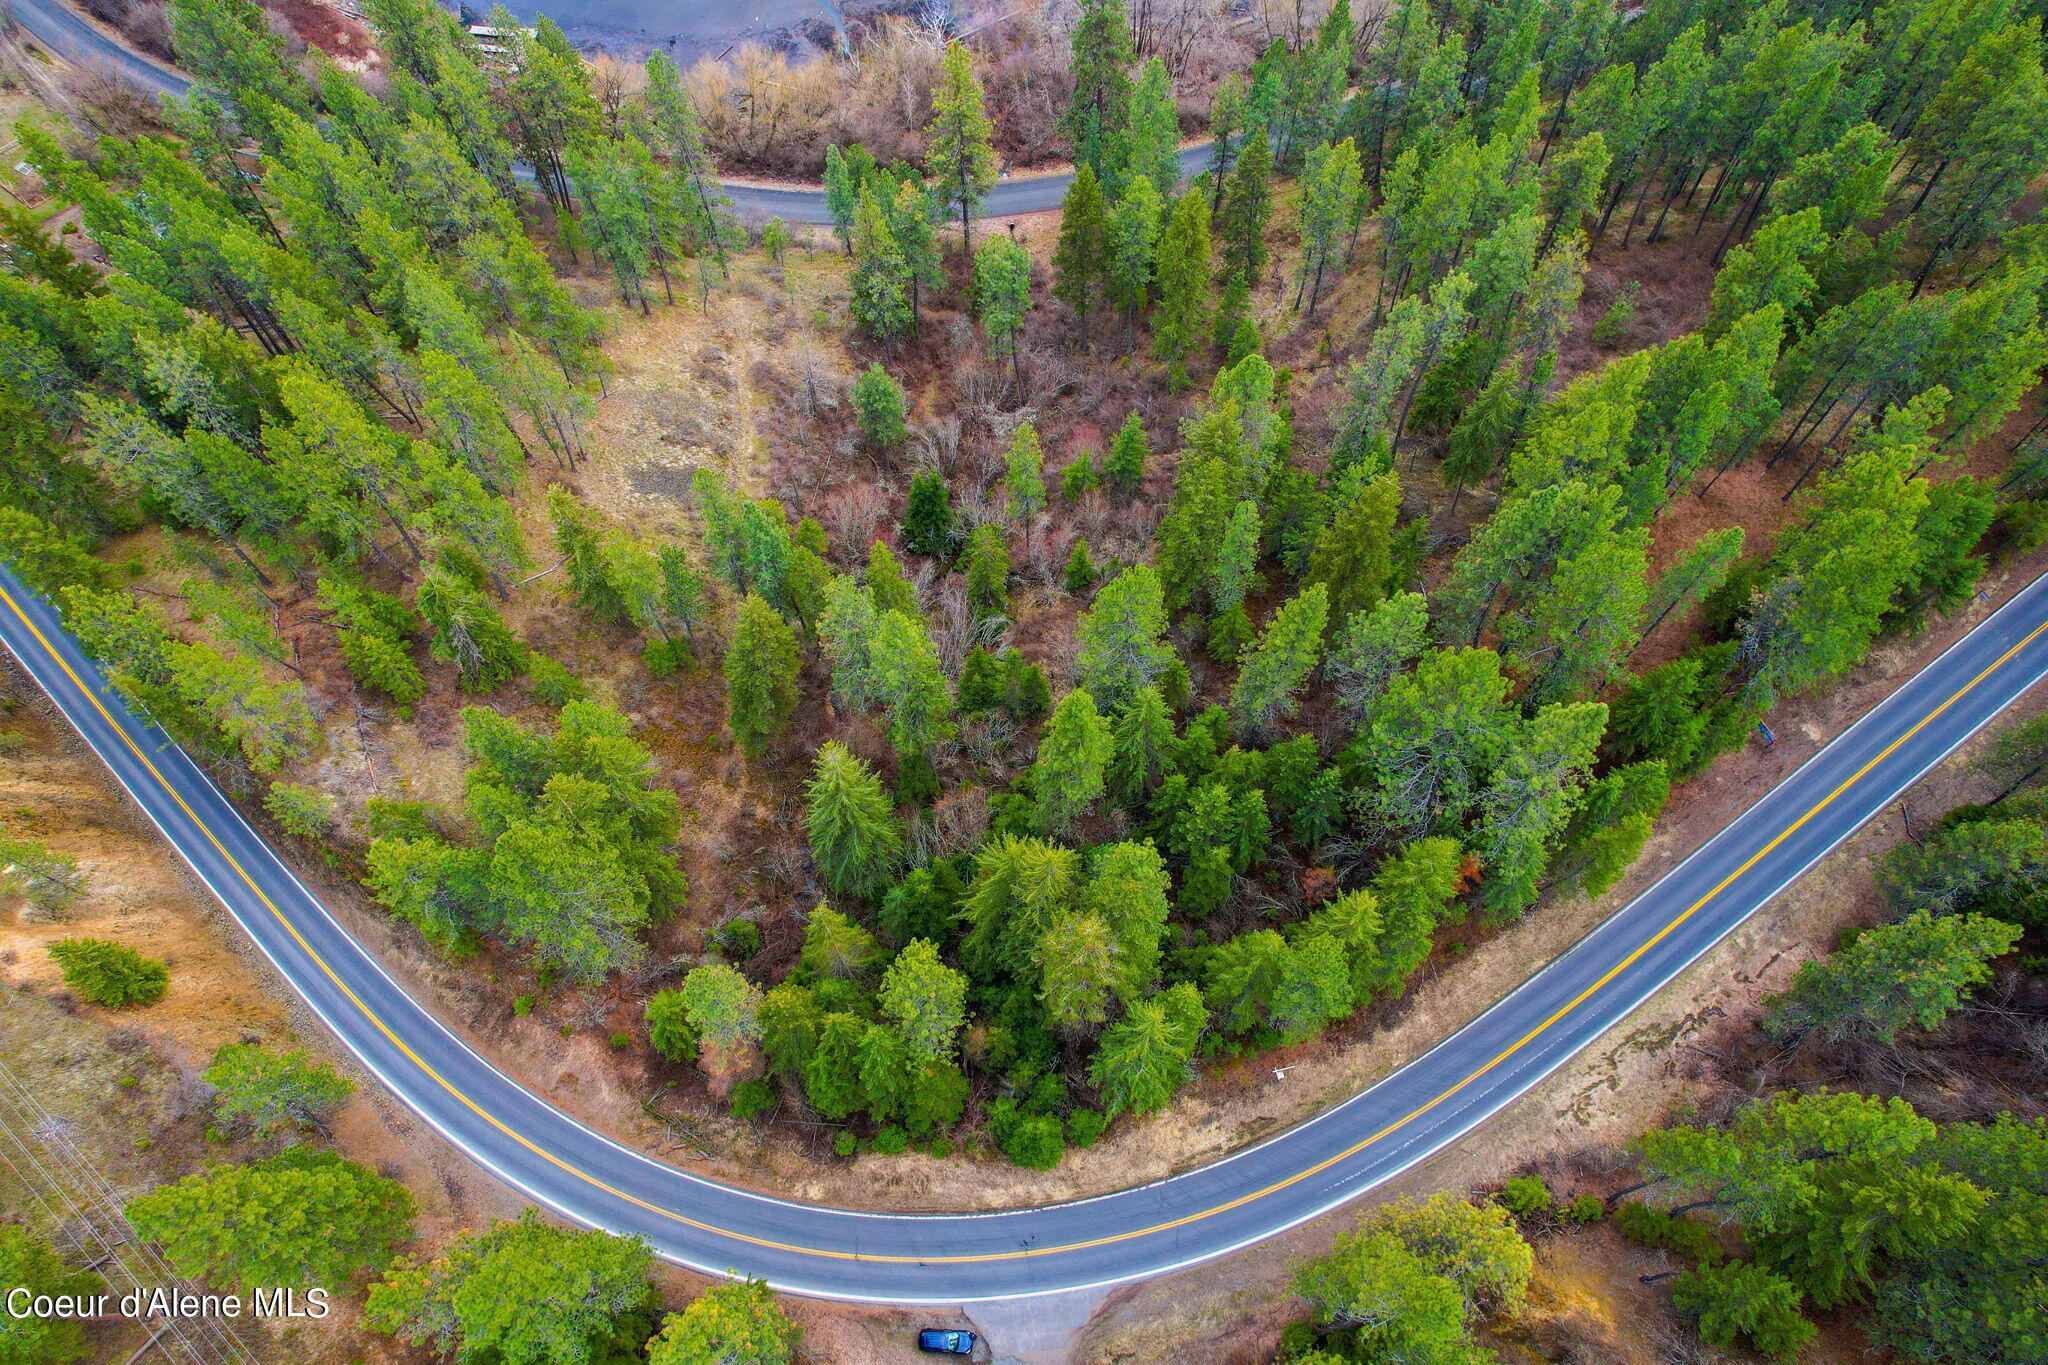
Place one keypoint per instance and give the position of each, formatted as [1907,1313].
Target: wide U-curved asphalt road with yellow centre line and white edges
[1129,1235]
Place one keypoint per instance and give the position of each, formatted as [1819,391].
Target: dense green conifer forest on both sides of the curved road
[1117,756]
